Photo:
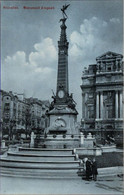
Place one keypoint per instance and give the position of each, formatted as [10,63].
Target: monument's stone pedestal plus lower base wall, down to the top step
[63,131]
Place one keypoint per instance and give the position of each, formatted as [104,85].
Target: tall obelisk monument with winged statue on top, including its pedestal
[62,114]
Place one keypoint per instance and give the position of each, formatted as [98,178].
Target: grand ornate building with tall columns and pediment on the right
[102,96]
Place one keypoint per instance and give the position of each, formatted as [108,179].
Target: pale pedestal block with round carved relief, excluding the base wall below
[63,120]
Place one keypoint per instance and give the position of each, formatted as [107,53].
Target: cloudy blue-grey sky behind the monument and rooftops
[29,43]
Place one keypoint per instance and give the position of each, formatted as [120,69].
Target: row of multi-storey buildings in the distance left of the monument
[20,114]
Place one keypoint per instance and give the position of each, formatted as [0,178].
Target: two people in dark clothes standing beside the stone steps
[91,169]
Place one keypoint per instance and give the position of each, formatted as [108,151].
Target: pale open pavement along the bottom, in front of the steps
[108,185]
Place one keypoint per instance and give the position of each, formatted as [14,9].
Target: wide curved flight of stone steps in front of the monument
[42,163]
